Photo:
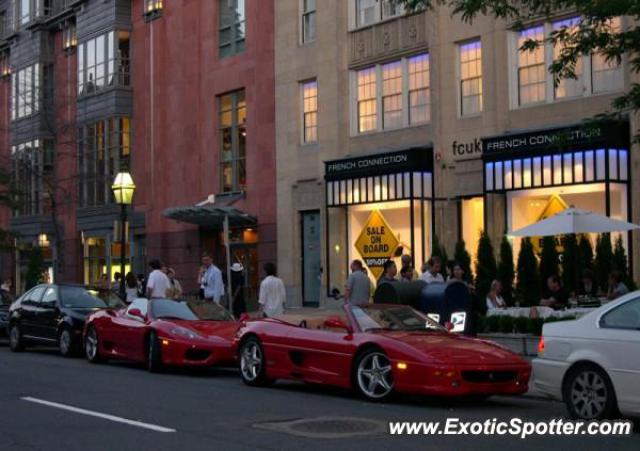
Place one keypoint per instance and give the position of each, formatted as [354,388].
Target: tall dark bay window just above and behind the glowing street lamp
[104,149]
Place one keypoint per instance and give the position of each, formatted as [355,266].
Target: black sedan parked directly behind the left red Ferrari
[53,315]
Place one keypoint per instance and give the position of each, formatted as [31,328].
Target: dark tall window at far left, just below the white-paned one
[32,177]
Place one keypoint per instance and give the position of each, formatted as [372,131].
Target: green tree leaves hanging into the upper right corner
[591,34]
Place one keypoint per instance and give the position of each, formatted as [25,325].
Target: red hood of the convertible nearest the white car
[450,348]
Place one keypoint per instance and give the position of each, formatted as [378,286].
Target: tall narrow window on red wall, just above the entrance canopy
[232,109]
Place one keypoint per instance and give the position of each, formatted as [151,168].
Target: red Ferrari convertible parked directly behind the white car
[378,350]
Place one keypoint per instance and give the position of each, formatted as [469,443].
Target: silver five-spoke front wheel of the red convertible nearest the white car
[374,375]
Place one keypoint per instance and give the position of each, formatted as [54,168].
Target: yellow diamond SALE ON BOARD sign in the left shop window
[377,243]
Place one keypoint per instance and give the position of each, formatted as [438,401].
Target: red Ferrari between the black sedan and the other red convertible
[162,332]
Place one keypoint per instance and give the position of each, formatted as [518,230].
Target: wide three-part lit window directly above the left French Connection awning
[403,96]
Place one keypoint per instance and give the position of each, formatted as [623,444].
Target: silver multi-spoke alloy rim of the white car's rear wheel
[589,394]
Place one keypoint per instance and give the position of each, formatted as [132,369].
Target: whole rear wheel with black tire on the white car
[588,393]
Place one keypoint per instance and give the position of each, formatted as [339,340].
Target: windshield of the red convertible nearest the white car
[386,317]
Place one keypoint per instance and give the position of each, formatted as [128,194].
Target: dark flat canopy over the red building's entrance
[212,212]
